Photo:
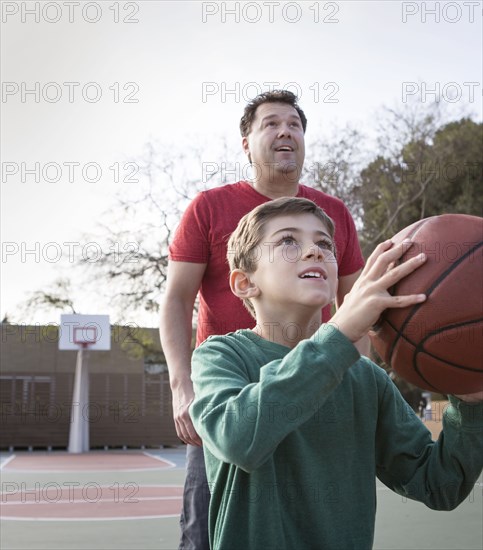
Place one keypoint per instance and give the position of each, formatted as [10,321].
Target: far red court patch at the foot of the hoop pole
[92,461]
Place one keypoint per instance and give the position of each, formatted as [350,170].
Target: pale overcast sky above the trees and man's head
[85,87]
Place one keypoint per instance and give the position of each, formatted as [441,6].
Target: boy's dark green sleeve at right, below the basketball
[440,474]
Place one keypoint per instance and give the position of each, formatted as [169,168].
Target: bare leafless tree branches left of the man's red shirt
[135,234]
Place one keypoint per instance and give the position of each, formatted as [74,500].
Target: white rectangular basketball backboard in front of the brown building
[91,331]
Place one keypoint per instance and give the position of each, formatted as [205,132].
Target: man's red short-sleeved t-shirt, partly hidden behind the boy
[203,234]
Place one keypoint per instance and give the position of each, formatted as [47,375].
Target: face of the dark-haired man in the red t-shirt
[275,144]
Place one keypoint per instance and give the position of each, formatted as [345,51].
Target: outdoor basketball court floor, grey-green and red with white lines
[131,500]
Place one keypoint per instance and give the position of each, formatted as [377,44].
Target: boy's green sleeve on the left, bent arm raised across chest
[242,422]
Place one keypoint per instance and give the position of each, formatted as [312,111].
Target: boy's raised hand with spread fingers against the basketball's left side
[369,297]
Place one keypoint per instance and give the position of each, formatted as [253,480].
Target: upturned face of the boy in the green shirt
[296,265]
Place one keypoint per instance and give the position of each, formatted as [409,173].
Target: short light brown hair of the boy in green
[245,240]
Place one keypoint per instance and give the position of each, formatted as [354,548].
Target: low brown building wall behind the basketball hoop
[129,393]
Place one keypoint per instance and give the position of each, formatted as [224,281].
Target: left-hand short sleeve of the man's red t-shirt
[191,239]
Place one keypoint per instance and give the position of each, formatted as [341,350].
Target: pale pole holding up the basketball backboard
[79,421]
